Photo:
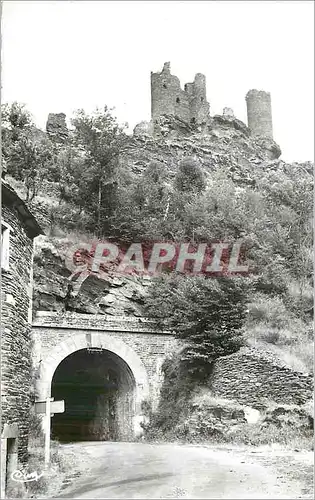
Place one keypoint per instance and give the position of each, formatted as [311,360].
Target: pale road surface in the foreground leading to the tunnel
[141,470]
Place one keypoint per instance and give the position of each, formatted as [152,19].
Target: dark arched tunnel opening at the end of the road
[98,389]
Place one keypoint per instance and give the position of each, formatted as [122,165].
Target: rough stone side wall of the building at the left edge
[16,331]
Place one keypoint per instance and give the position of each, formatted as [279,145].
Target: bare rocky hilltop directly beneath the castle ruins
[224,142]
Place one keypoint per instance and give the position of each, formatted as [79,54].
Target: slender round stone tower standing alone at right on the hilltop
[259,116]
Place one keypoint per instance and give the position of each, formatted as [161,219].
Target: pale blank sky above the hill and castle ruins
[59,56]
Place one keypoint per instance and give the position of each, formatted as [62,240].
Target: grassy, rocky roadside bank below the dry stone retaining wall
[205,423]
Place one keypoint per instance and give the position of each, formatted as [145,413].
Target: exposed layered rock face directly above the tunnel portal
[118,296]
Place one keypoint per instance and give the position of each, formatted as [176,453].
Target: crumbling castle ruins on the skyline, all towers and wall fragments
[190,106]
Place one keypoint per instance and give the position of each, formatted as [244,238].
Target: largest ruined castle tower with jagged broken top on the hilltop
[168,98]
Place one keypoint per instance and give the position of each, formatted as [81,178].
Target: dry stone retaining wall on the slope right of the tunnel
[253,378]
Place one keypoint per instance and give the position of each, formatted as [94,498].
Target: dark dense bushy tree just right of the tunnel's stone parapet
[206,313]
